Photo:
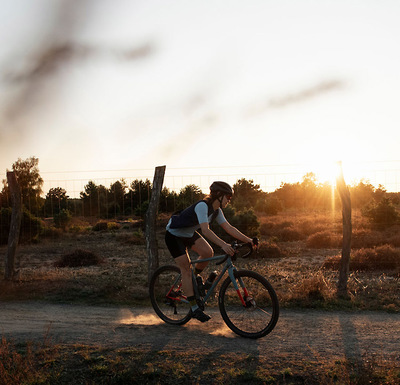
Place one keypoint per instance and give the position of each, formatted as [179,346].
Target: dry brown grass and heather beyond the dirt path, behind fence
[302,275]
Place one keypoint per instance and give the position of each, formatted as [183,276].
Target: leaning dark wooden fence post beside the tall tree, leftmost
[15,225]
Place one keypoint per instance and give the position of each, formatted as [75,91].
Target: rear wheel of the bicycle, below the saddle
[167,297]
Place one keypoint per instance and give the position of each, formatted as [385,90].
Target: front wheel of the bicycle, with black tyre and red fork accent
[252,311]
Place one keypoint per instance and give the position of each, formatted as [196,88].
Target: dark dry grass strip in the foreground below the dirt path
[68,364]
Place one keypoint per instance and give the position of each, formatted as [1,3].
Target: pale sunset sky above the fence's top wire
[136,84]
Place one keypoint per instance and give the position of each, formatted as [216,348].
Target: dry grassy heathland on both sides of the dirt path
[299,254]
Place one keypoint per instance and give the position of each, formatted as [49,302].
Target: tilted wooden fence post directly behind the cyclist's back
[150,224]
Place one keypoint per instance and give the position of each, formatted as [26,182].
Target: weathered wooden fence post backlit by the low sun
[344,194]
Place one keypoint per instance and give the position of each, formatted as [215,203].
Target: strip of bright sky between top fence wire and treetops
[268,177]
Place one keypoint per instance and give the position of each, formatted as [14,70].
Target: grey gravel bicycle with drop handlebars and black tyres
[247,301]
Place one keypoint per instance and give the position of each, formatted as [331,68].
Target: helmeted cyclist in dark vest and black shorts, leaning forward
[182,235]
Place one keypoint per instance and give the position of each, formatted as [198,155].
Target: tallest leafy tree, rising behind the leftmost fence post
[30,182]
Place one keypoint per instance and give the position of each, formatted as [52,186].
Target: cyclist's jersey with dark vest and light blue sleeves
[188,221]
